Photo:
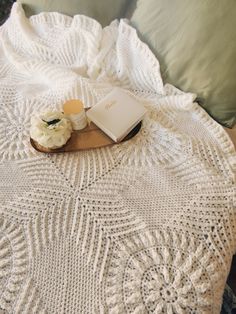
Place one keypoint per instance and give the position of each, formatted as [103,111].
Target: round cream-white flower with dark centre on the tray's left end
[50,129]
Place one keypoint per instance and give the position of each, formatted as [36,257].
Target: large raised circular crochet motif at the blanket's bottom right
[160,278]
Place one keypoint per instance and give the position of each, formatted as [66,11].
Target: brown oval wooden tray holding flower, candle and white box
[88,138]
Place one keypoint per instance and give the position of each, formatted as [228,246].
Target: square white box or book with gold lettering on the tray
[117,114]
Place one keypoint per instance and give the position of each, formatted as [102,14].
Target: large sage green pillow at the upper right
[195,42]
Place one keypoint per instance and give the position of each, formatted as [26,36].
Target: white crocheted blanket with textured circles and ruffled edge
[147,226]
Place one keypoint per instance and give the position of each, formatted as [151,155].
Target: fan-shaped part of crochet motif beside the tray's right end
[155,143]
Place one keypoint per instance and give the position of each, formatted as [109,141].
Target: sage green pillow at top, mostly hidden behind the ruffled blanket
[104,11]
